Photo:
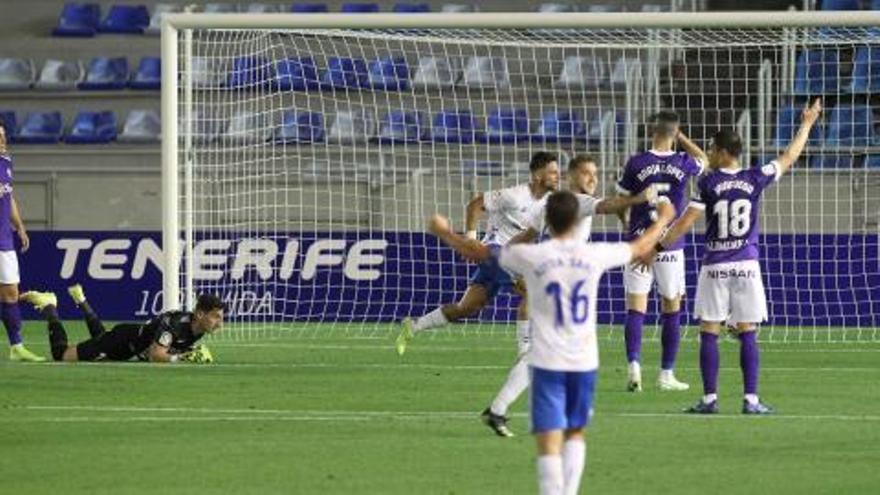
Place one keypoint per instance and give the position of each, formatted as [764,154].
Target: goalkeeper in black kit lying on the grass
[169,337]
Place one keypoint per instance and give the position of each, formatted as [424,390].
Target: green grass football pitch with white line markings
[316,415]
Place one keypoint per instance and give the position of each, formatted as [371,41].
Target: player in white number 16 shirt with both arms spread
[562,276]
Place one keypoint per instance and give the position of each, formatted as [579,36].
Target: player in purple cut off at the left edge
[10,219]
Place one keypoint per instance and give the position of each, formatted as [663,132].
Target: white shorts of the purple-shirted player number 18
[731,292]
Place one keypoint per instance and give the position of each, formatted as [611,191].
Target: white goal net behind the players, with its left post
[303,162]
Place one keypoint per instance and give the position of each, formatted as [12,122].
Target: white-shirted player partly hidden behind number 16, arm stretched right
[583,177]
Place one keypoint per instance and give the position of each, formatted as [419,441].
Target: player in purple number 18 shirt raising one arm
[729,288]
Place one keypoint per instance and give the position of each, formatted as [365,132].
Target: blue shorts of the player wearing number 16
[561,400]
